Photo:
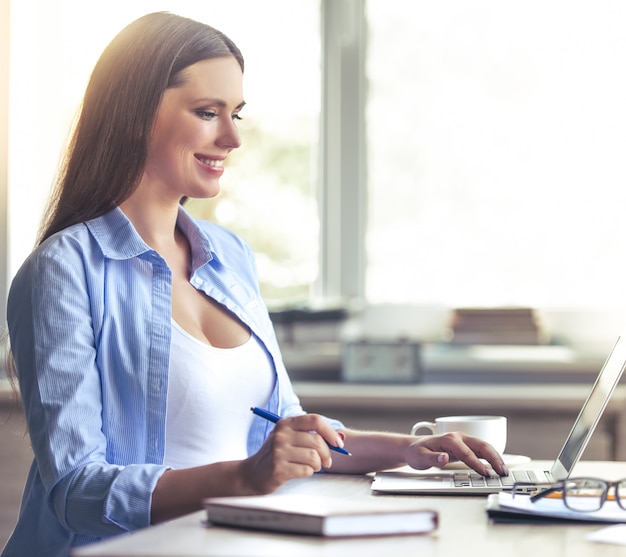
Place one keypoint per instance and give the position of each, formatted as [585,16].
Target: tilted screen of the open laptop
[592,410]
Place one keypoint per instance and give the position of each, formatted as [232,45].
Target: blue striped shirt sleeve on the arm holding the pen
[51,323]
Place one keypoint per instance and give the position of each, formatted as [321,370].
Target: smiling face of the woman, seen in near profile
[195,130]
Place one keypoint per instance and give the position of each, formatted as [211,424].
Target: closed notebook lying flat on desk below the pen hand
[321,515]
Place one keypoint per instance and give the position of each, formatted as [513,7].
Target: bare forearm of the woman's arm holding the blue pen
[180,492]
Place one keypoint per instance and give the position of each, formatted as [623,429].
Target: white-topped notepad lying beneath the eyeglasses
[503,507]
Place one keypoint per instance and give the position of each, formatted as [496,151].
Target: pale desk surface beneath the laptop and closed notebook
[464,531]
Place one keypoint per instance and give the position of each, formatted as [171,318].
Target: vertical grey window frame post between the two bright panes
[342,191]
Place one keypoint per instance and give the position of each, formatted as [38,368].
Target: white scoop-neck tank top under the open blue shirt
[210,392]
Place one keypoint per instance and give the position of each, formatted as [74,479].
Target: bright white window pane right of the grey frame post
[496,132]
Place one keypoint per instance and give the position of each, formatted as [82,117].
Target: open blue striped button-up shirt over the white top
[89,316]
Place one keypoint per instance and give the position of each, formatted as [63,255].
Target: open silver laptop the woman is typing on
[460,482]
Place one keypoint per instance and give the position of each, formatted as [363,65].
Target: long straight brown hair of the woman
[108,148]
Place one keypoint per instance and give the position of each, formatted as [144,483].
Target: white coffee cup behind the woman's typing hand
[488,428]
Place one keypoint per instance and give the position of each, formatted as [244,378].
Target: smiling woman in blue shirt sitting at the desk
[139,335]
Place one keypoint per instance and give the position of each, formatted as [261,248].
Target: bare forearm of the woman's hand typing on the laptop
[371,451]
